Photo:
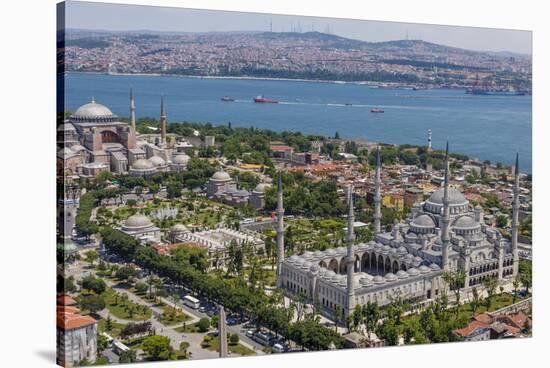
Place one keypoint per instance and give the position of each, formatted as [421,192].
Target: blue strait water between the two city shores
[487,127]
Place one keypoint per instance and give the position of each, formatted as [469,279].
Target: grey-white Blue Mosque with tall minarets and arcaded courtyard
[443,233]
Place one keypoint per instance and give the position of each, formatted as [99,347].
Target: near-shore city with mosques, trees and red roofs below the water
[172,235]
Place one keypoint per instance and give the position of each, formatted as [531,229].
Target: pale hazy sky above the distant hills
[118,17]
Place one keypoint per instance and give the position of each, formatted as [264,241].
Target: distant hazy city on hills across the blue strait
[296,55]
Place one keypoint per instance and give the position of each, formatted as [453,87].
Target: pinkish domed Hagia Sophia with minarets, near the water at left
[95,140]
